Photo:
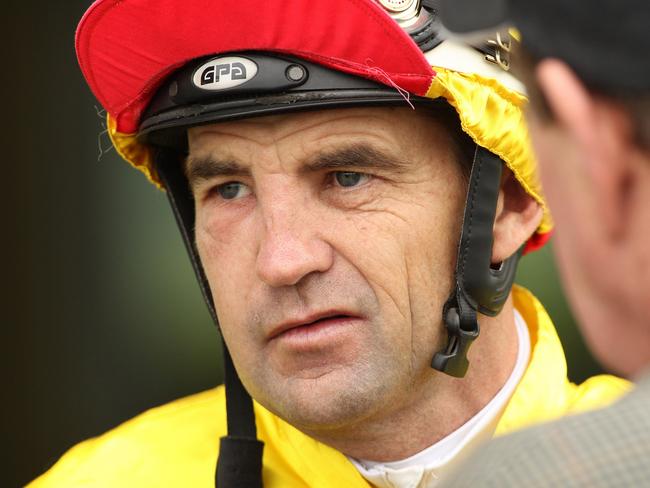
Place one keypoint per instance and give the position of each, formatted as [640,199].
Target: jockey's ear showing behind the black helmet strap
[518,216]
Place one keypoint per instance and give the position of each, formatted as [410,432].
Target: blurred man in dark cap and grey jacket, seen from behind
[590,121]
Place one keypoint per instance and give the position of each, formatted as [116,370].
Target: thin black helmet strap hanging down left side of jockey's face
[240,452]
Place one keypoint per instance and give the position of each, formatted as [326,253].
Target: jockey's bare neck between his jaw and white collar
[438,404]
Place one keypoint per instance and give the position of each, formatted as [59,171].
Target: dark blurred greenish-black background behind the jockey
[102,317]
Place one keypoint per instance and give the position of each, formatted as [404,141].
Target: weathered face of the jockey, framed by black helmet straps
[329,241]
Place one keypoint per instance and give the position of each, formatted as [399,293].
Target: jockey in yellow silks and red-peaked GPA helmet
[349,229]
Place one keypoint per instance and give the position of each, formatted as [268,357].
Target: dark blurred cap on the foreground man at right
[606,42]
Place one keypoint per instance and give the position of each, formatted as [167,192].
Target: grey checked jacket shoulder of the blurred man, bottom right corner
[604,448]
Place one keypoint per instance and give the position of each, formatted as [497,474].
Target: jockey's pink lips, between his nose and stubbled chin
[318,334]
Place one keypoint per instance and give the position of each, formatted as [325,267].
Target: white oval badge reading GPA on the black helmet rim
[223,73]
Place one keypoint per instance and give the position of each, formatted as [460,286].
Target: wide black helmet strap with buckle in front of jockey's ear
[478,286]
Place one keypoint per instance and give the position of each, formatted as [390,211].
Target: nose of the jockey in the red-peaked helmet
[292,245]
